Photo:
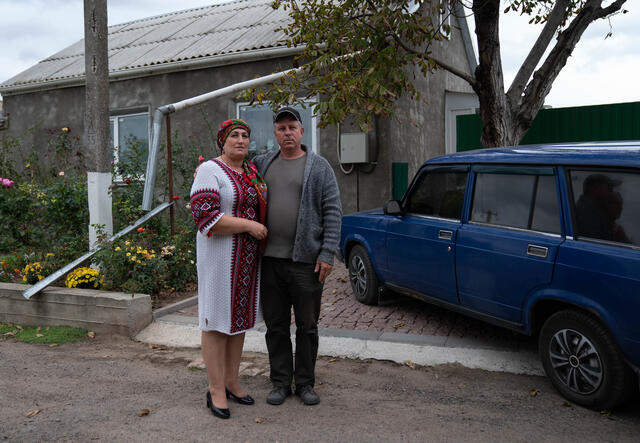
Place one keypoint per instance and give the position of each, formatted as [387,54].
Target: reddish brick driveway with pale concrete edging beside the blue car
[401,330]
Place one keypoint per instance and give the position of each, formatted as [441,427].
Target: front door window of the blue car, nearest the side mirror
[438,193]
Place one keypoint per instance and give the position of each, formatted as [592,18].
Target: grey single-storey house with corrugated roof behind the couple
[167,58]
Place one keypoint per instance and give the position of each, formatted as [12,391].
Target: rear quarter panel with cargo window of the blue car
[601,262]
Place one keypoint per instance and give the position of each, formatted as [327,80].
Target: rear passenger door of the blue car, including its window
[509,245]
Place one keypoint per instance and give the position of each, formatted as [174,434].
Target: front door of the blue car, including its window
[421,243]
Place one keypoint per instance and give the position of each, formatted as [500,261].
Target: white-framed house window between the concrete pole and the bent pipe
[129,135]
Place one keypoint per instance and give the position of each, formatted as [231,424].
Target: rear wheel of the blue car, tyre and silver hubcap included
[583,361]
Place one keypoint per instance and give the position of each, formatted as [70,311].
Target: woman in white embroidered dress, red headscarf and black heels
[228,201]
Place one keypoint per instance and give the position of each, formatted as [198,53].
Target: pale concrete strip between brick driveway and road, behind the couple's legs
[182,331]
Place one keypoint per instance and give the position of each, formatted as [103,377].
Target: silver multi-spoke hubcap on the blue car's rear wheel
[576,361]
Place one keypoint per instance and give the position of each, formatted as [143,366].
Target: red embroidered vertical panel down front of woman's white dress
[245,258]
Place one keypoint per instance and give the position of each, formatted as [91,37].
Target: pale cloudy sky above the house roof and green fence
[599,71]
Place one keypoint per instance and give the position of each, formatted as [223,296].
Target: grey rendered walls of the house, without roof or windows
[416,133]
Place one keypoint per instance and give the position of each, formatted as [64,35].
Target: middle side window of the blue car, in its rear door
[525,201]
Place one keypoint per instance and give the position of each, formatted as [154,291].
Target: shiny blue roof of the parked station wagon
[615,153]
